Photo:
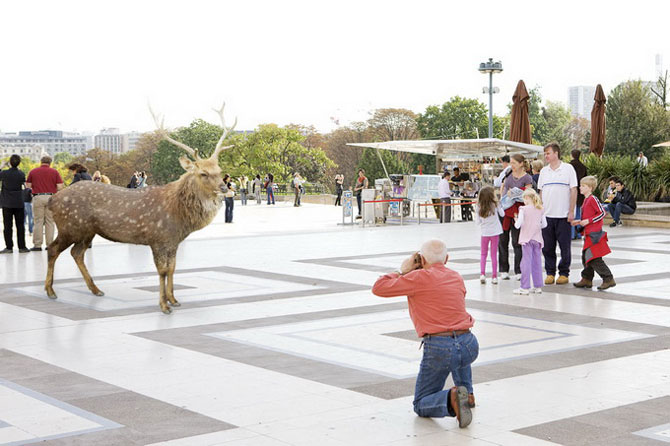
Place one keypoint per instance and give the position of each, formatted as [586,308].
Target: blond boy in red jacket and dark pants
[595,239]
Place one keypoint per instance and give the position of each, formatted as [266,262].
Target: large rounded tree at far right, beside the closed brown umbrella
[635,121]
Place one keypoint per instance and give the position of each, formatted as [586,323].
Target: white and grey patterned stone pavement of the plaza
[280,341]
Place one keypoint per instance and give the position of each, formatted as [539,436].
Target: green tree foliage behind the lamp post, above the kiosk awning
[460,118]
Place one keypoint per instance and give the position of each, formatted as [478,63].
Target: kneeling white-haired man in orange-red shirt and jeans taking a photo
[436,299]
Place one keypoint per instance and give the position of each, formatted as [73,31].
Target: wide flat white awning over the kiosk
[457,149]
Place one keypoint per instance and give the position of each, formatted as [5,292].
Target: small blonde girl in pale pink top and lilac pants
[531,220]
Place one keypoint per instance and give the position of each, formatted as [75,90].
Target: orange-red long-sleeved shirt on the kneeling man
[436,298]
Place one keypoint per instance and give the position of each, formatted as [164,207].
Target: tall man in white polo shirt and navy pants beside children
[558,188]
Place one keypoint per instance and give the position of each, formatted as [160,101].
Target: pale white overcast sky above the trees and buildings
[85,65]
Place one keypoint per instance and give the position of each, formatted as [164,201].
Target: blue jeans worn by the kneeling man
[443,355]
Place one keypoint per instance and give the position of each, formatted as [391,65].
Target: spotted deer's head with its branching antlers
[205,171]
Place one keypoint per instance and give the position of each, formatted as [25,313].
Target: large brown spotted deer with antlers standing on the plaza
[158,216]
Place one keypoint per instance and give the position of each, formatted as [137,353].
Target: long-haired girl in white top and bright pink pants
[488,213]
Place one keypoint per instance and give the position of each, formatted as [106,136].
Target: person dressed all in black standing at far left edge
[11,198]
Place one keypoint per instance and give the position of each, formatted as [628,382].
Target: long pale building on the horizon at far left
[48,141]
